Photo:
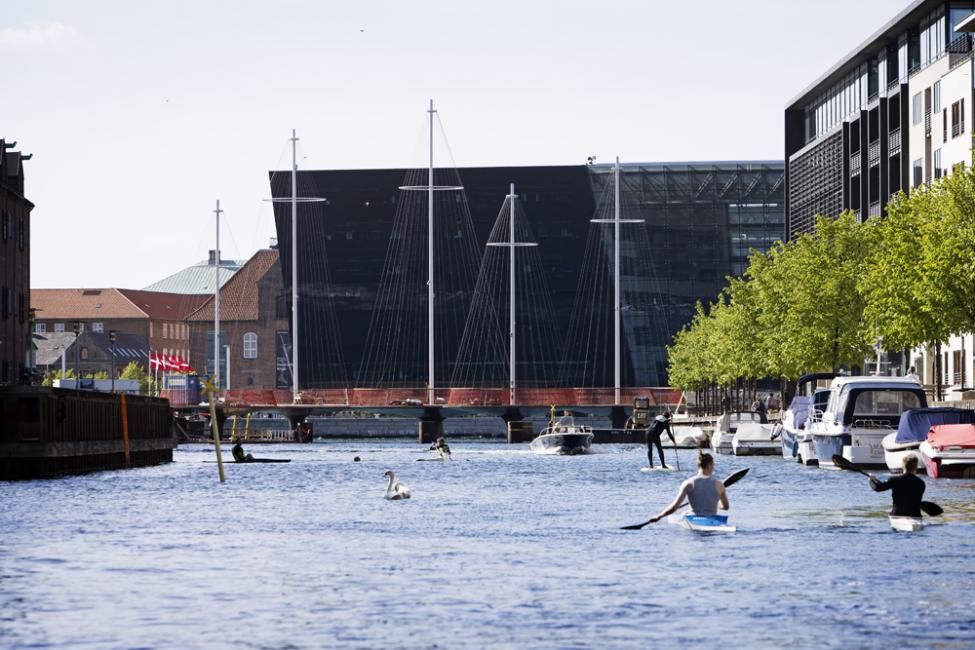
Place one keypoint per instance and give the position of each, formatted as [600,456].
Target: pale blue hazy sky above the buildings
[140,115]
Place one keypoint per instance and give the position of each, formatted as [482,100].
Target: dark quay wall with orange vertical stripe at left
[48,432]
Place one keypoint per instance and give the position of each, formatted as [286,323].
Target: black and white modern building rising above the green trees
[889,116]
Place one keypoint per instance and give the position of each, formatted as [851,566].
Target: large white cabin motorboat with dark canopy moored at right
[861,411]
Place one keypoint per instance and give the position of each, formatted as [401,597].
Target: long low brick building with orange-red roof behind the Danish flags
[154,317]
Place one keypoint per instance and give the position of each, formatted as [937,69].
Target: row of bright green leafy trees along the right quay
[820,301]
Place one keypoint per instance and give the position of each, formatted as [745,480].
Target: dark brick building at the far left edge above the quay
[15,349]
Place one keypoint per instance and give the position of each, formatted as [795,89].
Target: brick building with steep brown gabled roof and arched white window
[253,324]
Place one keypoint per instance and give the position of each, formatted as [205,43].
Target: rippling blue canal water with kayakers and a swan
[497,548]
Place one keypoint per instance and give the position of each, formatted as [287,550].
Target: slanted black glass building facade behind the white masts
[700,220]
